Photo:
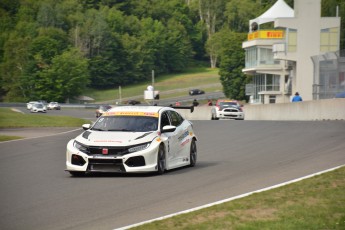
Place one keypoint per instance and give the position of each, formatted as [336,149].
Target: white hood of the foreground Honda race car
[113,138]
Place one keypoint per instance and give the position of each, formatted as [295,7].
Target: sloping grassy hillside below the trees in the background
[204,78]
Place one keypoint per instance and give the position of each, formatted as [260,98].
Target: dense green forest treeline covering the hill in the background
[54,49]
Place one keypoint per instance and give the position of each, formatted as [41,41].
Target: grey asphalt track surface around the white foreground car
[235,157]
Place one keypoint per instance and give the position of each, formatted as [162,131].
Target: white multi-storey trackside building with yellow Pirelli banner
[280,46]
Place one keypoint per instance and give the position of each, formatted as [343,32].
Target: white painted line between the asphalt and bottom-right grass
[229,199]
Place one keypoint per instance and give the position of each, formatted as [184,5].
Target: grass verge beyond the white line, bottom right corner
[314,203]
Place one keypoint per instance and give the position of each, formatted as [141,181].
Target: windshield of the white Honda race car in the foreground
[126,123]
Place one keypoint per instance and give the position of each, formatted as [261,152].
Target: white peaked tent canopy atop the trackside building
[279,10]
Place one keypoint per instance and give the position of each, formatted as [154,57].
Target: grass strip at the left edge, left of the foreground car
[11,119]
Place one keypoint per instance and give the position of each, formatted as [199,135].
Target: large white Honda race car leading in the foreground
[133,139]
